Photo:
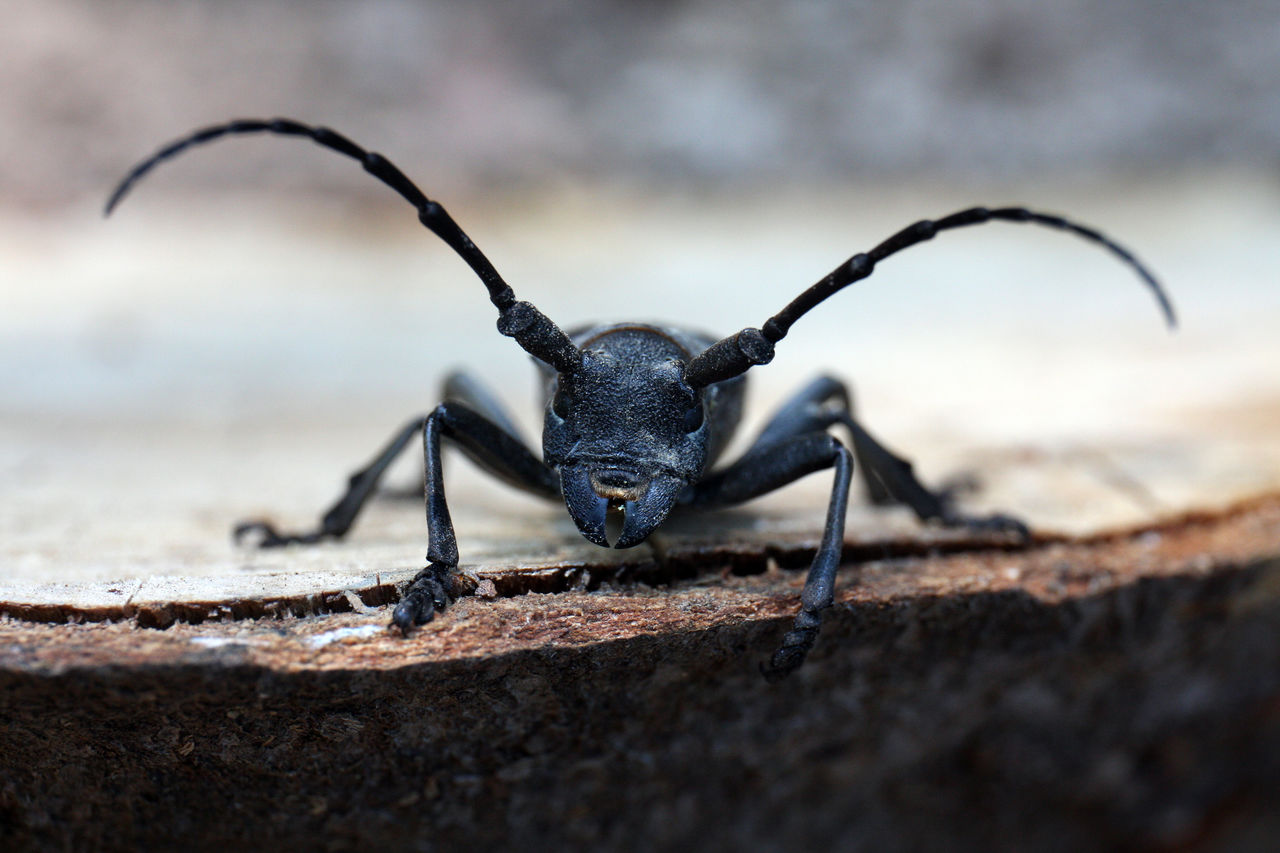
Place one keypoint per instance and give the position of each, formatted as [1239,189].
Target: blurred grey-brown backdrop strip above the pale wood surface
[484,97]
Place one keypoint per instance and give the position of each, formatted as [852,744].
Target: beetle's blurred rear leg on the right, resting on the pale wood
[889,478]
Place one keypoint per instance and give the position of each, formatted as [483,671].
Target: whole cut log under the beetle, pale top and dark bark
[1112,685]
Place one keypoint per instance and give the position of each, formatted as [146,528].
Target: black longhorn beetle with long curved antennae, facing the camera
[637,416]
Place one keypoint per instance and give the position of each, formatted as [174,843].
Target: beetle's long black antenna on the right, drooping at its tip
[749,348]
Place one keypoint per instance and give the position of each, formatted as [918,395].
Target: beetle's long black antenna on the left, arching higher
[520,321]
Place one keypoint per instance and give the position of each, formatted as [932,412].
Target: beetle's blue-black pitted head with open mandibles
[628,435]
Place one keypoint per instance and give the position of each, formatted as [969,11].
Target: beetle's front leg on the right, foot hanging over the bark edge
[756,475]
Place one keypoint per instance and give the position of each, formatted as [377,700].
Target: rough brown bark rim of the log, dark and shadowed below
[1099,694]
